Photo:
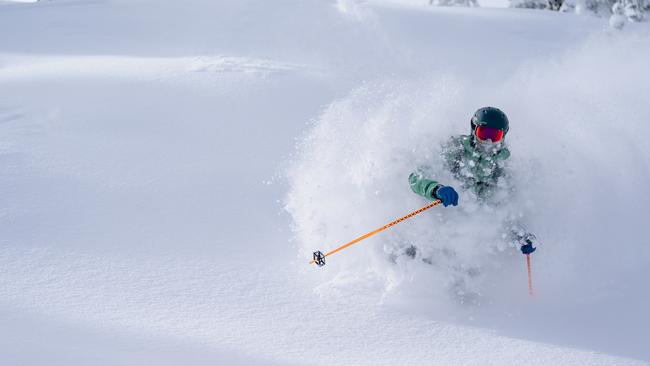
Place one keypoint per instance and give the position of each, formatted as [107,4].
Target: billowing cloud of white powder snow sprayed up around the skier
[580,158]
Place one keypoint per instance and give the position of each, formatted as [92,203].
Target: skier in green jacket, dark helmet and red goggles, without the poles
[477,162]
